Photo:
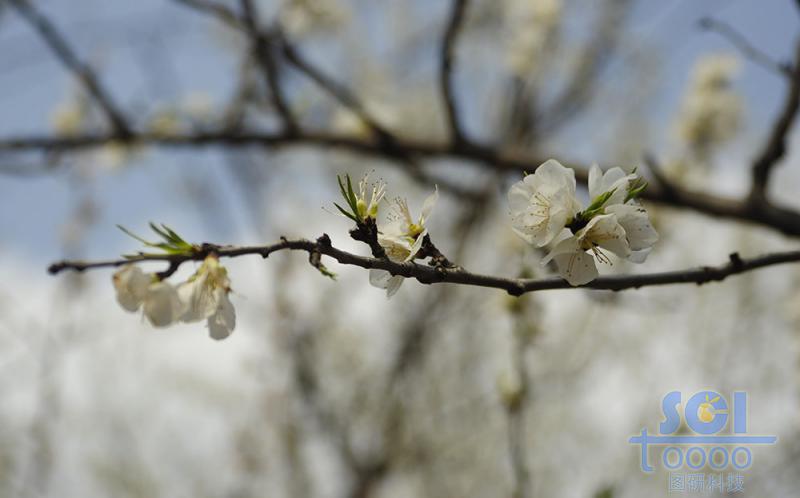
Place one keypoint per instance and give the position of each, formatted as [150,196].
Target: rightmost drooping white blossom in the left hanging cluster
[205,295]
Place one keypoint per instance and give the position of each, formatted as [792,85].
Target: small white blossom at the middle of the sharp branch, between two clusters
[401,238]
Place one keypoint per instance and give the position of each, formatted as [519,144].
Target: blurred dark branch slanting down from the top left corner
[58,44]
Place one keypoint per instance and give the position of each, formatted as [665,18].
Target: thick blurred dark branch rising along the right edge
[775,148]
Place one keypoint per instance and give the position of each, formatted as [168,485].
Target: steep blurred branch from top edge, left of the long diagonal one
[263,47]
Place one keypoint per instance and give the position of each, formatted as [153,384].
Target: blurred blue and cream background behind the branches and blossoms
[326,388]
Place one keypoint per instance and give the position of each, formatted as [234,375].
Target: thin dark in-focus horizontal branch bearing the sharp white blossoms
[455,275]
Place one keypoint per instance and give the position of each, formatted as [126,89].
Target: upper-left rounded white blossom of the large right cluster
[542,203]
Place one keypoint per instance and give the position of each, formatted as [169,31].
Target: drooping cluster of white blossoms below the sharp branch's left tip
[204,296]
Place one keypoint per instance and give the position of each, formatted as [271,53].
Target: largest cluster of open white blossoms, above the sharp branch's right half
[545,212]
